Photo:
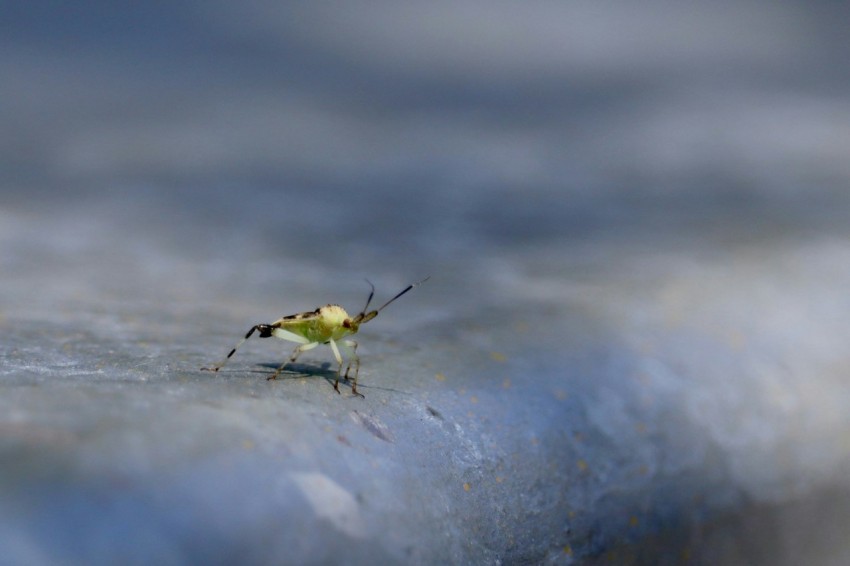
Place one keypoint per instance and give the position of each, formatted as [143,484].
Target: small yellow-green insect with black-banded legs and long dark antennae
[325,325]
